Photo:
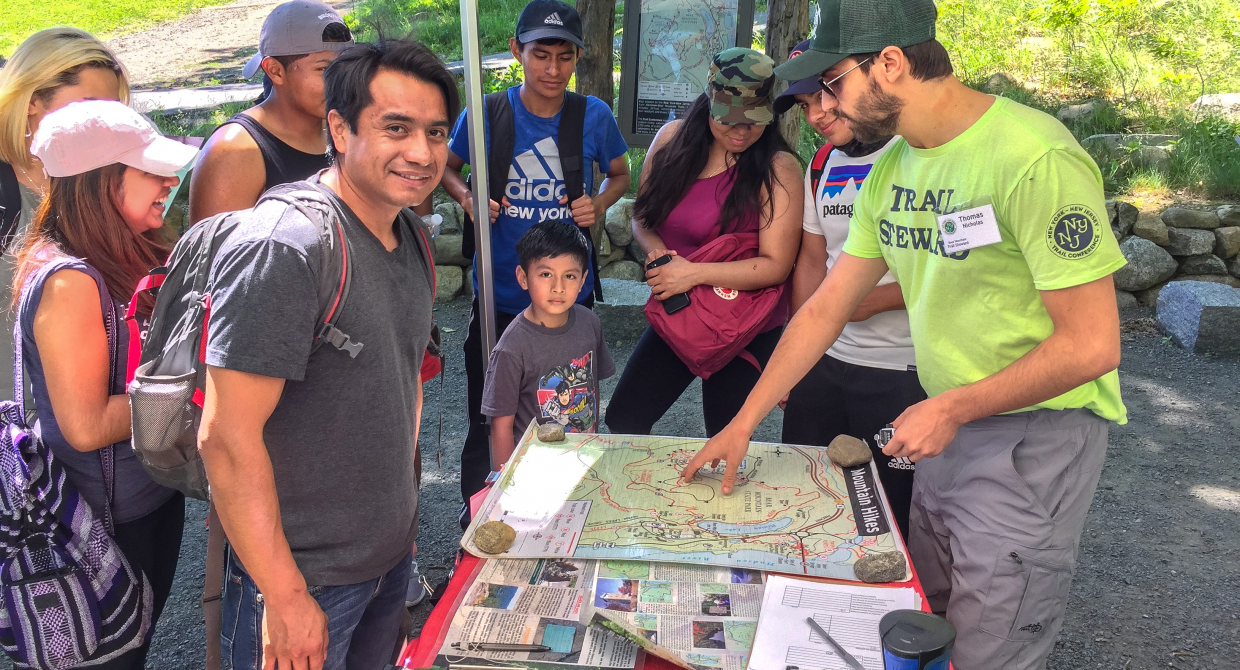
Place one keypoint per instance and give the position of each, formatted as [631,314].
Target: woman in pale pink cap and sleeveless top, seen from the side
[97,233]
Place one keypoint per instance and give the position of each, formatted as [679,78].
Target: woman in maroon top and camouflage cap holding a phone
[724,169]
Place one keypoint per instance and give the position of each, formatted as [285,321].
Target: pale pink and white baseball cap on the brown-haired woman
[91,135]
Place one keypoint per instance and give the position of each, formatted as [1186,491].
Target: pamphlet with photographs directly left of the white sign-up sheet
[694,616]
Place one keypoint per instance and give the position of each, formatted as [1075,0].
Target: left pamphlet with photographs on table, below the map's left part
[534,602]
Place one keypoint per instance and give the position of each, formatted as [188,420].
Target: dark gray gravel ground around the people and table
[1159,583]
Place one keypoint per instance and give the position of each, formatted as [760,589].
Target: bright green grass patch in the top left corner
[104,19]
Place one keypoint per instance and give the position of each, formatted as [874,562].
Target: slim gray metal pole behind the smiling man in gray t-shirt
[472,53]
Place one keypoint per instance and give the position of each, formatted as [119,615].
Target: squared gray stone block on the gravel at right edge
[1201,317]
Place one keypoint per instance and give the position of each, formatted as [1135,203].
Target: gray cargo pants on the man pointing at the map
[995,527]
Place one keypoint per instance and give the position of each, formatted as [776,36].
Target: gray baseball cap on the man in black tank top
[297,29]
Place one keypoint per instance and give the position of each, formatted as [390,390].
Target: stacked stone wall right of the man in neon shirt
[1179,244]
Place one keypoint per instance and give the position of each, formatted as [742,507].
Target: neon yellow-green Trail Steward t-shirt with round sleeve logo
[976,312]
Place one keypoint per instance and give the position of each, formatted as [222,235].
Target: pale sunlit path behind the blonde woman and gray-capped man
[209,47]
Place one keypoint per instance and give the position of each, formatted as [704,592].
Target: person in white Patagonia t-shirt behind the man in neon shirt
[870,375]
